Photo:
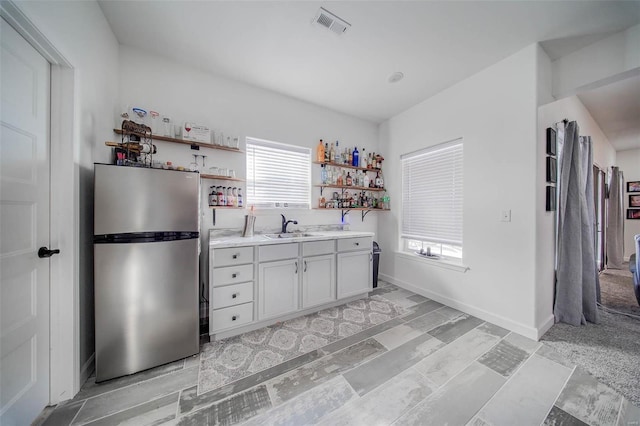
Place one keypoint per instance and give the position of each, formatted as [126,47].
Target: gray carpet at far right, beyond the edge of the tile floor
[610,350]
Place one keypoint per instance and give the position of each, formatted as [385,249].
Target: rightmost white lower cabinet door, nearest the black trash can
[354,273]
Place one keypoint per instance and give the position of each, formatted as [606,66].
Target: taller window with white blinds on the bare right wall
[432,200]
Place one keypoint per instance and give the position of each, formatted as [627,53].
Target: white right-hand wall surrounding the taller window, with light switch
[494,112]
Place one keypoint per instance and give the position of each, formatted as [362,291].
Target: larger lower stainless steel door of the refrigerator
[146,305]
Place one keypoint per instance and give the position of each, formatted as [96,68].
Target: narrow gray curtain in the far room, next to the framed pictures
[615,221]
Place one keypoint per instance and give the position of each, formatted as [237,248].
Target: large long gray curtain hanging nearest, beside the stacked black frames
[576,274]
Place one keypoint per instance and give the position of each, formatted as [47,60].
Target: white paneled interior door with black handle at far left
[24,227]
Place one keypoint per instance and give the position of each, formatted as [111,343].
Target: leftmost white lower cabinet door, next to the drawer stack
[278,284]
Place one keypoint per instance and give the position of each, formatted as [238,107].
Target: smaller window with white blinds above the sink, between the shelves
[278,175]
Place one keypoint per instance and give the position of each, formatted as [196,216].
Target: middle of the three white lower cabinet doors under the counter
[318,280]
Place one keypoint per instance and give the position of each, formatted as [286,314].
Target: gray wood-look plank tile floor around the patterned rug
[433,366]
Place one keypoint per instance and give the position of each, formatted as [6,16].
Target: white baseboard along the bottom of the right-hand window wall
[530,332]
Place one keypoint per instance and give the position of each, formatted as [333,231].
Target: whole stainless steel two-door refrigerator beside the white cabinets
[146,249]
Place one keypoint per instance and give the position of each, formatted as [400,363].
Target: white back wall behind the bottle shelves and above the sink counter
[184,93]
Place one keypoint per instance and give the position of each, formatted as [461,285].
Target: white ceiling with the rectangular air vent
[274,45]
